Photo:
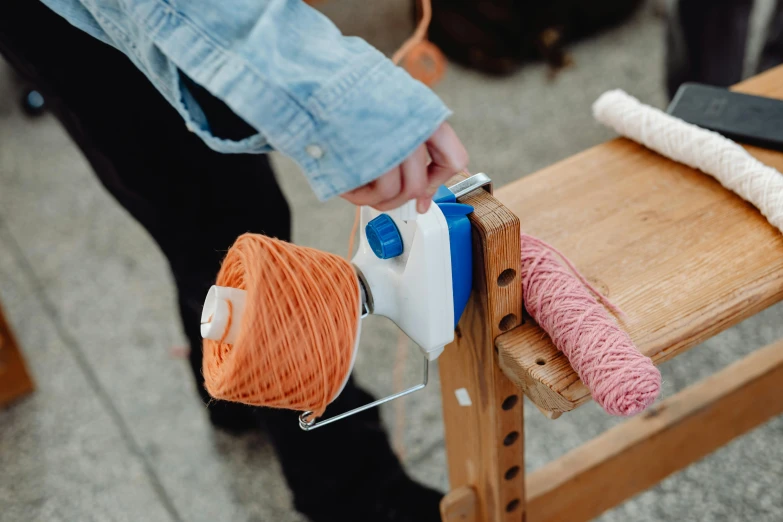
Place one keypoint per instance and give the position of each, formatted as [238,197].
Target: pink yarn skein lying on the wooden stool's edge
[622,380]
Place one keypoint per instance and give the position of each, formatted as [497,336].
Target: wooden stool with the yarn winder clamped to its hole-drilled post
[682,256]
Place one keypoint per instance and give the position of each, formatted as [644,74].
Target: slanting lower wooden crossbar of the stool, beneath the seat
[639,453]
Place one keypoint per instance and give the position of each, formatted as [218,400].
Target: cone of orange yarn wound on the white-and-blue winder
[298,330]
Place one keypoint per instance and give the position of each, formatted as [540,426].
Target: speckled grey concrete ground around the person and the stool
[114,431]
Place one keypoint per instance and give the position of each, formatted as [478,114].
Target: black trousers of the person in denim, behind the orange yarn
[174,185]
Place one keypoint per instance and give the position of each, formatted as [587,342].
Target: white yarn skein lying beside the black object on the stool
[699,148]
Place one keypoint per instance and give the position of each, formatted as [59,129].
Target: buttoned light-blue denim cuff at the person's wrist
[359,130]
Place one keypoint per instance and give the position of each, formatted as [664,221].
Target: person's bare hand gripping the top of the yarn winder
[417,177]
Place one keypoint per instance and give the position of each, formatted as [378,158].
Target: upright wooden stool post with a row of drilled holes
[482,407]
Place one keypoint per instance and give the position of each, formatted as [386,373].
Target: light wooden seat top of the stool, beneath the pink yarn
[683,257]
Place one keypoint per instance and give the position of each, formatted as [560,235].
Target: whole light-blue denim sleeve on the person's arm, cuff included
[333,104]
